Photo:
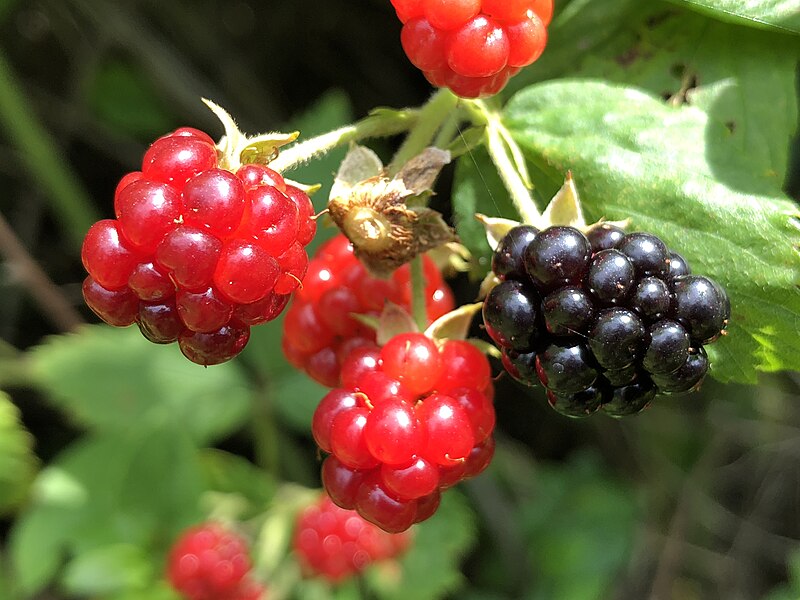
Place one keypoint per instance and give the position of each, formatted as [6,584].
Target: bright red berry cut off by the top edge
[473,46]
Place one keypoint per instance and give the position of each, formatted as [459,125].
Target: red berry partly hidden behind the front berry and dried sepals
[319,331]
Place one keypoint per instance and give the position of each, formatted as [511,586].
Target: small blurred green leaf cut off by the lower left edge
[17,462]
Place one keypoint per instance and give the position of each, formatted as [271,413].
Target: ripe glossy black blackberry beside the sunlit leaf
[603,320]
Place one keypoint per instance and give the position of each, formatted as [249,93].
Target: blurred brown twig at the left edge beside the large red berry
[28,272]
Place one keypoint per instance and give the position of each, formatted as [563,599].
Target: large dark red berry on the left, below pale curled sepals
[197,254]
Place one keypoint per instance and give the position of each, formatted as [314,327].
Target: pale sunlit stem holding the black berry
[508,159]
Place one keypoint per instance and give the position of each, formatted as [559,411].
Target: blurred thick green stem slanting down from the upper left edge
[41,155]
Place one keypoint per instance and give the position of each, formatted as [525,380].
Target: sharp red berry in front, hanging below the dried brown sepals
[409,420]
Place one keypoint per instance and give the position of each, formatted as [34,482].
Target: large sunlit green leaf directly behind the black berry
[633,156]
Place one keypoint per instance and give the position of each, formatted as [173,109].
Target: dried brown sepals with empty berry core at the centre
[375,216]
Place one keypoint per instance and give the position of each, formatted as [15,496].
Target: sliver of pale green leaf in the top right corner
[782,15]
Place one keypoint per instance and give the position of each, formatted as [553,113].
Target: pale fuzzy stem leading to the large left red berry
[381,123]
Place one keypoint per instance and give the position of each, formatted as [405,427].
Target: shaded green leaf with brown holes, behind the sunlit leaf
[740,77]
